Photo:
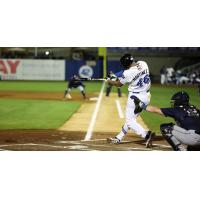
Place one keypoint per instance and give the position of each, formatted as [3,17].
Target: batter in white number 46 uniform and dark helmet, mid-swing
[136,75]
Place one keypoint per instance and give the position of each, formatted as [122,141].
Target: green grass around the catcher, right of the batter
[160,97]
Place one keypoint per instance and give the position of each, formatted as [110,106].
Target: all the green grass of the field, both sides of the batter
[41,114]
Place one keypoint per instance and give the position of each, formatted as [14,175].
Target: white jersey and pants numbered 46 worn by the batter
[139,83]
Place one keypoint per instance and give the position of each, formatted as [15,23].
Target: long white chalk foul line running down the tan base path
[94,116]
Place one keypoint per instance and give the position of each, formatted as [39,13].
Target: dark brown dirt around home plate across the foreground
[53,140]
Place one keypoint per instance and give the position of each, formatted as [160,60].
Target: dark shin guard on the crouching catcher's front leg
[166,130]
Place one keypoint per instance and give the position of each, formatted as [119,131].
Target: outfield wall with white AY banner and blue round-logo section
[30,69]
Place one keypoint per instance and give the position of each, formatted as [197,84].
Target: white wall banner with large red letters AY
[29,69]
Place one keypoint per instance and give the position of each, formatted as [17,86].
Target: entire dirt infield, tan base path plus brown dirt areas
[71,137]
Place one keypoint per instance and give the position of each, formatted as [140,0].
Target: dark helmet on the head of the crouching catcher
[180,99]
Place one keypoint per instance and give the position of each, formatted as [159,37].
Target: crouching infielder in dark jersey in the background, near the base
[75,82]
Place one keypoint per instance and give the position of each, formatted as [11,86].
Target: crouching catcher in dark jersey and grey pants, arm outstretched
[187,118]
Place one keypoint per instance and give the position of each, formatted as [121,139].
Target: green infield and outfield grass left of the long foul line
[38,114]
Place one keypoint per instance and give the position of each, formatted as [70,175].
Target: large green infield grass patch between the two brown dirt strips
[35,114]
